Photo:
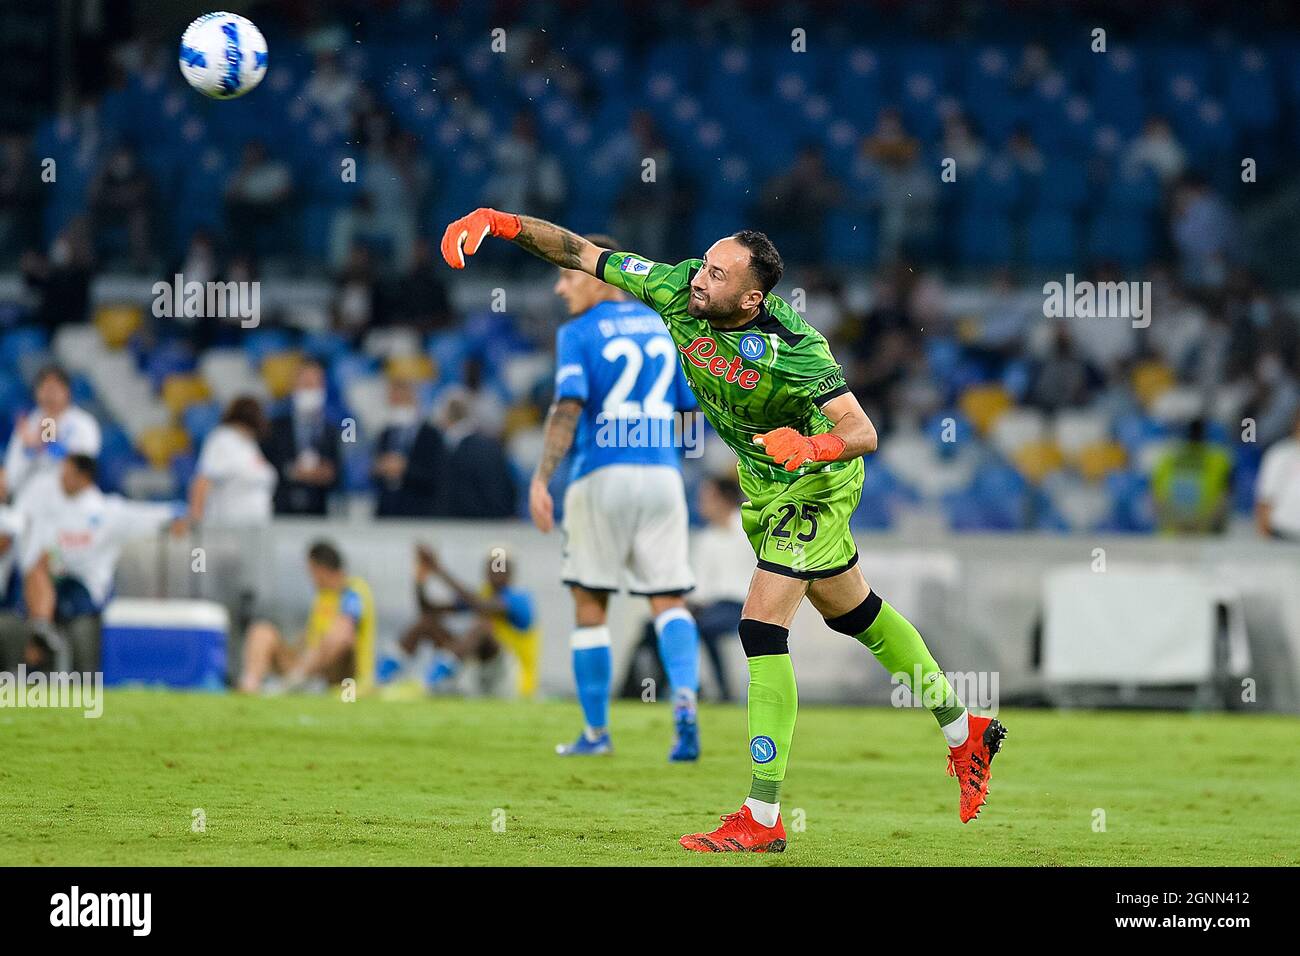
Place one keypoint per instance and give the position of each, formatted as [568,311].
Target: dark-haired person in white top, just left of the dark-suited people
[233,483]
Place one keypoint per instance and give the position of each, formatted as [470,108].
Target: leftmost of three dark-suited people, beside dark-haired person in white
[304,448]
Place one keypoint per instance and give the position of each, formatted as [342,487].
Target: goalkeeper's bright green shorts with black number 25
[801,530]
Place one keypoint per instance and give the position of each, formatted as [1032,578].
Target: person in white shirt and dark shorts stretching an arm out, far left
[70,552]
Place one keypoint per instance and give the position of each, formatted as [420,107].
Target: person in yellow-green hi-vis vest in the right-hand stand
[1191,486]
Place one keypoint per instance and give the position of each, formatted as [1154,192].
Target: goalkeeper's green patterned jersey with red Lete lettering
[774,371]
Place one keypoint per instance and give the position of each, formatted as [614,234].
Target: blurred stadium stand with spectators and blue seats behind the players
[1112,167]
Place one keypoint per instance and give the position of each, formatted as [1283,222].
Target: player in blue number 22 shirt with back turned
[618,386]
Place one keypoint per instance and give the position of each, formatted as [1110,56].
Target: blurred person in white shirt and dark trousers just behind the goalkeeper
[725,563]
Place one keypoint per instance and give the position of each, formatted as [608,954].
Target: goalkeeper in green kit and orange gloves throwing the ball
[774,393]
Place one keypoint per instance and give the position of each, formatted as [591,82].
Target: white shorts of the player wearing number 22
[626,526]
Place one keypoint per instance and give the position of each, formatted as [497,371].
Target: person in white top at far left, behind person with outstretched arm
[49,434]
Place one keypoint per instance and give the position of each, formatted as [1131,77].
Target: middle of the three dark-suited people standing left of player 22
[409,458]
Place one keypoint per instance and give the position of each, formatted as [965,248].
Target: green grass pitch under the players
[319,781]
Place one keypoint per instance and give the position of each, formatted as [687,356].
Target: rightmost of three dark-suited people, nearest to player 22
[479,482]
